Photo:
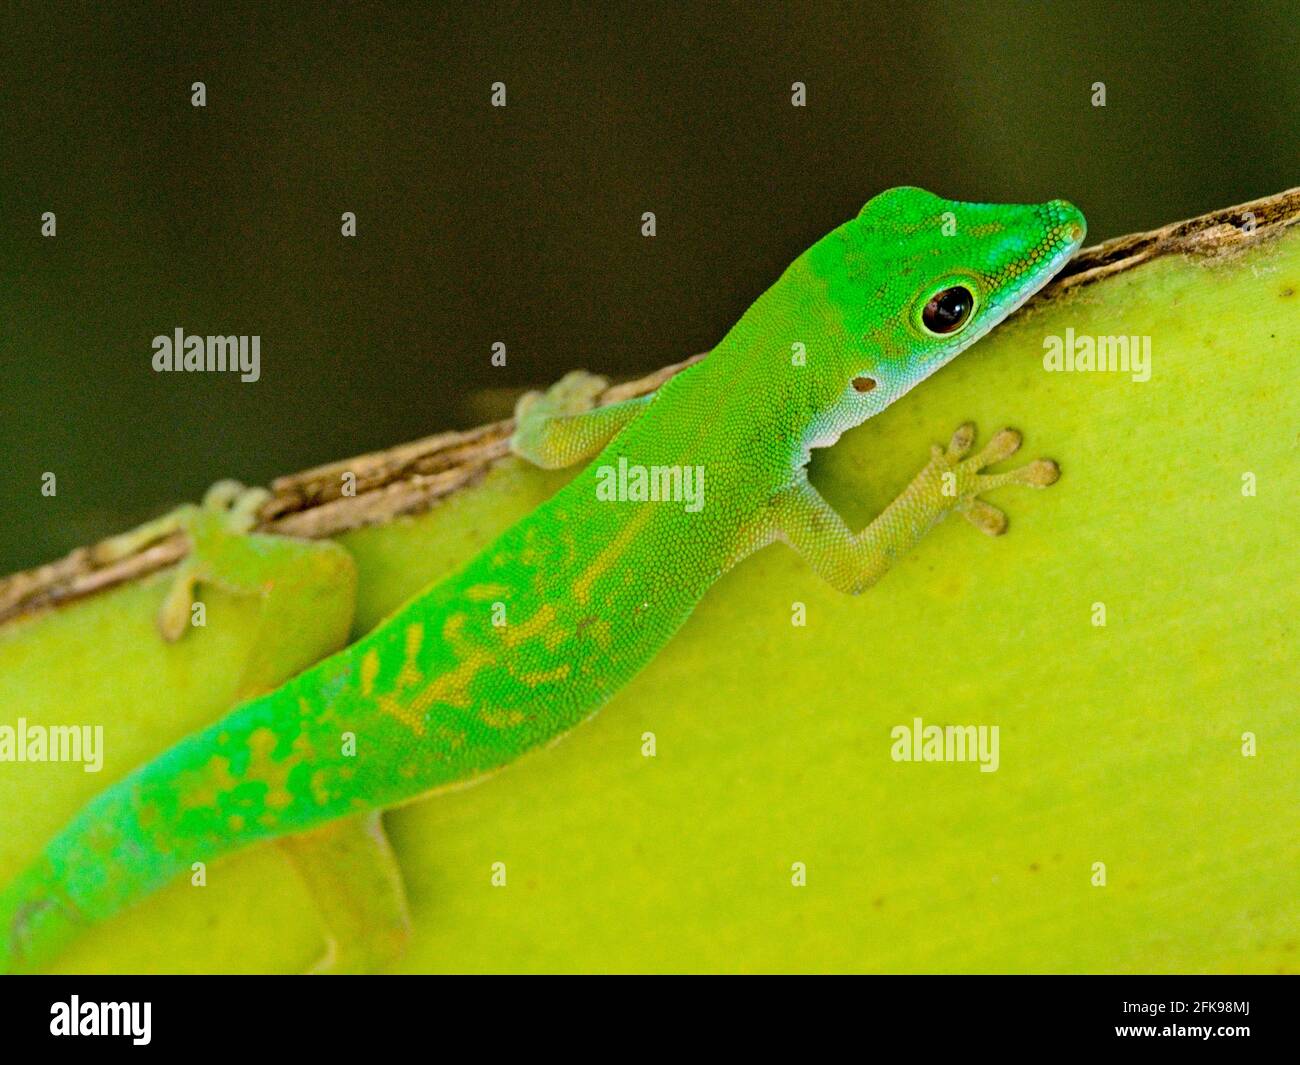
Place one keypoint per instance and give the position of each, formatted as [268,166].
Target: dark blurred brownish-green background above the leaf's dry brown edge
[478,224]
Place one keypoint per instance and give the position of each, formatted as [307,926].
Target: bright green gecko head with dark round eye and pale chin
[918,279]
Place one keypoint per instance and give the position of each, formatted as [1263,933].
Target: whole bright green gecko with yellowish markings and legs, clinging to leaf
[544,626]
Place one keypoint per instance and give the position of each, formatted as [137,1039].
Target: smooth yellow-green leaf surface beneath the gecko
[1119,744]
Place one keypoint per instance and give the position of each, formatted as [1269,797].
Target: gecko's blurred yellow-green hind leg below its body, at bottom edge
[354,881]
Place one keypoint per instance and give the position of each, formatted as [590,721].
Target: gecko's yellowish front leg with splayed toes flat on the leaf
[952,480]
